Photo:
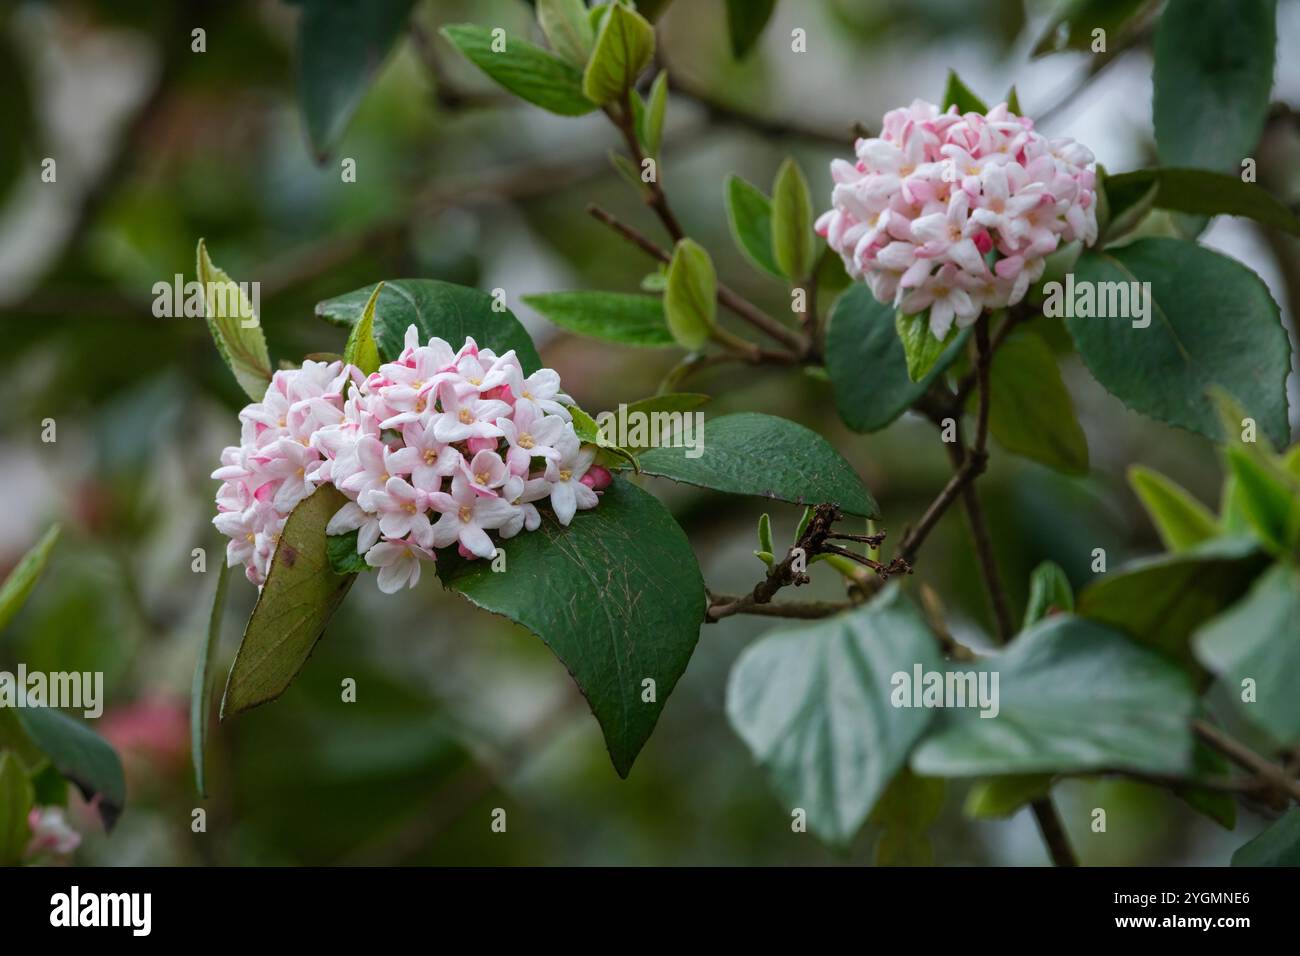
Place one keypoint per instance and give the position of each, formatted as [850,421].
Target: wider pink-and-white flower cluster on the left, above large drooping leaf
[435,449]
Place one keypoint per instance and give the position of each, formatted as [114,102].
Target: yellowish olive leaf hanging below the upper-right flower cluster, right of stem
[1032,413]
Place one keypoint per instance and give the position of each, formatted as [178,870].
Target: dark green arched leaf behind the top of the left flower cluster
[449,312]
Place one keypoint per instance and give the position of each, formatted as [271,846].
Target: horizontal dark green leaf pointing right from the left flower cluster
[768,457]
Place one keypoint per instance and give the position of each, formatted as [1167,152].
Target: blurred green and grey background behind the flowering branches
[460,712]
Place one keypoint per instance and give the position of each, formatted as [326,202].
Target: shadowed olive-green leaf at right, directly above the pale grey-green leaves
[1162,602]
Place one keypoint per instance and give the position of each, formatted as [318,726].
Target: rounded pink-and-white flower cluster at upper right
[957,213]
